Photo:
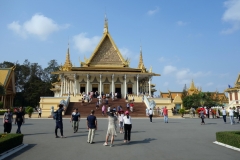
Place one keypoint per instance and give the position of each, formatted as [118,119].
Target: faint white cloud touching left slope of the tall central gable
[85,44]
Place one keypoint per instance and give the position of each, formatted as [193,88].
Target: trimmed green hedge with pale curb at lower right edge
[231,138]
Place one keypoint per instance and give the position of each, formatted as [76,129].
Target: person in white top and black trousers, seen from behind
[127,127]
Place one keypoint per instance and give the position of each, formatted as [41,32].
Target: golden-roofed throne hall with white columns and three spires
[106,71]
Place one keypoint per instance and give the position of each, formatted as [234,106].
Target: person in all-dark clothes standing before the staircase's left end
[58,118]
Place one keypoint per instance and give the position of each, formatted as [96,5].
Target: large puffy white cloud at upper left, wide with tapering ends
[38,25]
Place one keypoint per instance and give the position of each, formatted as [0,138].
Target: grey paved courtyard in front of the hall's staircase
[180,139]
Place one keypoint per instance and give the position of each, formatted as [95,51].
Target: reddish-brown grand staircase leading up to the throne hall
[139,109]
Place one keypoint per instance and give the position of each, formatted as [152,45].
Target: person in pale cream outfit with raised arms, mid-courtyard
[112,127]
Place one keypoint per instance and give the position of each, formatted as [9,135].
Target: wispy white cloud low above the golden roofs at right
[184,75]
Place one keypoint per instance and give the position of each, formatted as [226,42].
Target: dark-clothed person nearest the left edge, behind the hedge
[7,121]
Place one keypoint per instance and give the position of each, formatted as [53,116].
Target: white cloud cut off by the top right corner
[232,15]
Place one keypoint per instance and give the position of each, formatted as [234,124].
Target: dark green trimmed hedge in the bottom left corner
[9,141]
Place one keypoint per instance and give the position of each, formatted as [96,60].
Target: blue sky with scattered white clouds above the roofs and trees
[181,39]
